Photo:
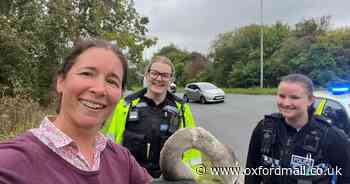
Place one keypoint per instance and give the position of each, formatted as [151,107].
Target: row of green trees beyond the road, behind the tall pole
[309,49]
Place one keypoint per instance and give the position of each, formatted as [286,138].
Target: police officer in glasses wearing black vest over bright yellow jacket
[143,121]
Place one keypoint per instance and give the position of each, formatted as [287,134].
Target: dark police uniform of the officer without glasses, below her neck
[275,144]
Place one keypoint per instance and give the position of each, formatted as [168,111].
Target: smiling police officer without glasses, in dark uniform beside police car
[296,146]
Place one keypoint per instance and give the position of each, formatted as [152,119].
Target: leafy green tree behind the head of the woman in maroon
[36,35]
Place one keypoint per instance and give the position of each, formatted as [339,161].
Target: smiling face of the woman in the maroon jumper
[91,88]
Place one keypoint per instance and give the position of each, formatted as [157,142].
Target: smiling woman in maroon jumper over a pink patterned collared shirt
[68,148]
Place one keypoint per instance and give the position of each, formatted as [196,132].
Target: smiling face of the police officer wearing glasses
[159,78]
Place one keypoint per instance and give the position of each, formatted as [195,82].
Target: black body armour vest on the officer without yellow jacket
[301,153]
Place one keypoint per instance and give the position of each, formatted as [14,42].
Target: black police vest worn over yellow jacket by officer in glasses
[147,128]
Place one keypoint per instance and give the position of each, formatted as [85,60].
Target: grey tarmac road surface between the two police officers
[233,121]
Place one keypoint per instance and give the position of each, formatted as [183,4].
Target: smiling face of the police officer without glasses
[293,100]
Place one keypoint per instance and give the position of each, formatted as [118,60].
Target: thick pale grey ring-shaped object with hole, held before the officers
[174,171]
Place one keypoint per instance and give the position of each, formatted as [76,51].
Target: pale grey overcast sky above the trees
[193,24]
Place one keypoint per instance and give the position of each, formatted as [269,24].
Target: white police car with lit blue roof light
[334,106]
